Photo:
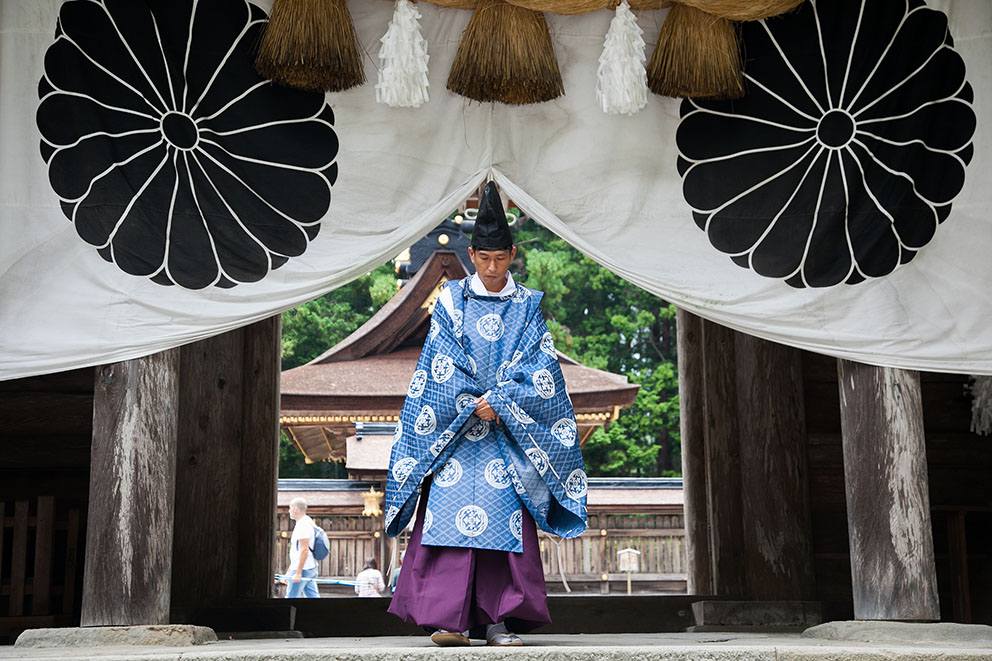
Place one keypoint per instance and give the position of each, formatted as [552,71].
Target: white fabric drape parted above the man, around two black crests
[606,184]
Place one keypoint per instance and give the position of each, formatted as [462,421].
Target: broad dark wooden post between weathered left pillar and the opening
[227,466]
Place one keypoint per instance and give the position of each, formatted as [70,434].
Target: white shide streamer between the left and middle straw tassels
[403,58]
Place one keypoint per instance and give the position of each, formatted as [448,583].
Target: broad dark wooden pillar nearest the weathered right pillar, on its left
[775,495]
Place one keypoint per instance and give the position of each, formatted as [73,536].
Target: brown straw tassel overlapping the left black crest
[311,45]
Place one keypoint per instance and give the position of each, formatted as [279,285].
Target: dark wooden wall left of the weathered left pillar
[45,428]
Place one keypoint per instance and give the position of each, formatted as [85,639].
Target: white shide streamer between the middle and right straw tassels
[622,81]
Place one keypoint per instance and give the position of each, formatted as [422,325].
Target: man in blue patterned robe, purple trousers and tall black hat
[487,444]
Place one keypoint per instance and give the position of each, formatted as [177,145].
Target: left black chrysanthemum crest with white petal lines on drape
[169,153]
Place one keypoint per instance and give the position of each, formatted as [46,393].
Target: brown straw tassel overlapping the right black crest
[697,57]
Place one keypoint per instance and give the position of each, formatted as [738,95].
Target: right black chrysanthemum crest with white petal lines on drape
[847,151]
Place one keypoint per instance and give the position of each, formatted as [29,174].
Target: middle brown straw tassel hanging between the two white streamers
[506,55]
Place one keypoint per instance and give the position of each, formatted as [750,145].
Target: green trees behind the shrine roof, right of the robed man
[608,323]
